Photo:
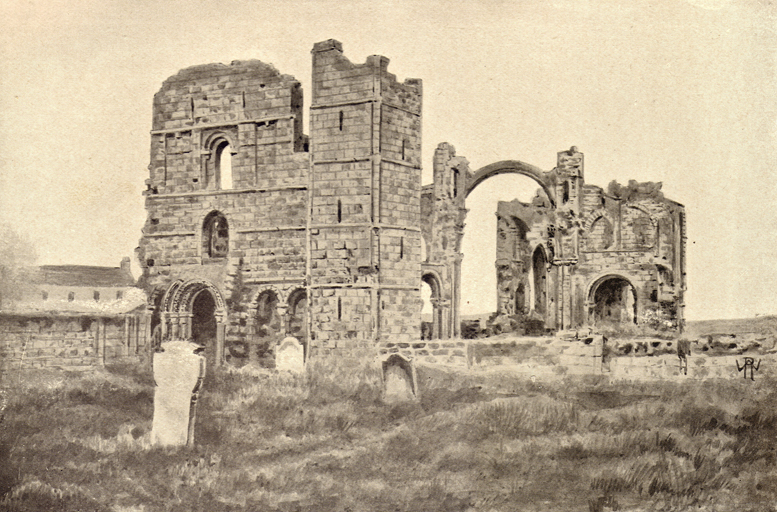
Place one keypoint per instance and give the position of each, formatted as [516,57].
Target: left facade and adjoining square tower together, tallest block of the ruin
[255,232]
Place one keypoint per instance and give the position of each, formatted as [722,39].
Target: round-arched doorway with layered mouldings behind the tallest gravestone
[195,310]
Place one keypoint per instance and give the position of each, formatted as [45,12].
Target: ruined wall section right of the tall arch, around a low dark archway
[634,232]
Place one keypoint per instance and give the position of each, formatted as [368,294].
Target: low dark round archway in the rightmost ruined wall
[612,302]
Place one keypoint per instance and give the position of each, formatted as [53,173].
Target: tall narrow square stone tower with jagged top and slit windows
[365,189]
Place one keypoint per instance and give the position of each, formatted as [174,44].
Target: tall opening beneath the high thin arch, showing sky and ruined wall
[519,276]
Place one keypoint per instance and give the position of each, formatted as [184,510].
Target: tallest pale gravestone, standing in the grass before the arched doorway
[178,373]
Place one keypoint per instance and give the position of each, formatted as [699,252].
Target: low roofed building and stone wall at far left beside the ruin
[74,316]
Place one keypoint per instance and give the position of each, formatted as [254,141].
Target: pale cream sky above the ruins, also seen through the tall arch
[678,92]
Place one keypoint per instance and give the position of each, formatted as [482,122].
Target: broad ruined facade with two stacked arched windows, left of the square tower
[227,194]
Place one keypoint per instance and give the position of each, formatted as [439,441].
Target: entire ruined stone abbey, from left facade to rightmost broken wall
[256,231]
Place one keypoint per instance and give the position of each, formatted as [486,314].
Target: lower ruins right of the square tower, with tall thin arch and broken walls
[576,256]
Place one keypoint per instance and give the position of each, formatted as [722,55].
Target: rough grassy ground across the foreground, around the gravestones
[325,441]
